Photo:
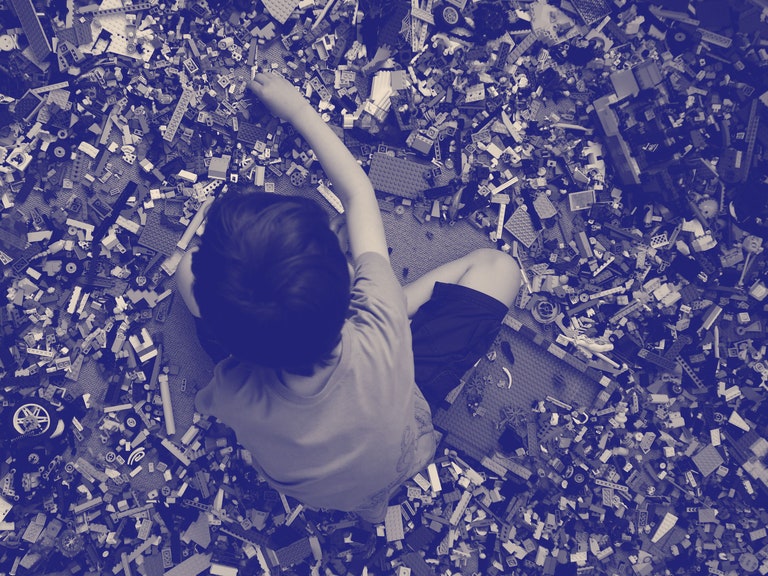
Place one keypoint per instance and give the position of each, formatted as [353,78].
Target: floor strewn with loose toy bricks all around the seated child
[615,147]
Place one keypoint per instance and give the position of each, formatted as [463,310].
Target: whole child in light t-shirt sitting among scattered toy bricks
[320,381]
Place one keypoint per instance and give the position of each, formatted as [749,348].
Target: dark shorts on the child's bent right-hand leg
[451,332]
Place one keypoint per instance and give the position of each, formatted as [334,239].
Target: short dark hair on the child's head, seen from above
[271,280]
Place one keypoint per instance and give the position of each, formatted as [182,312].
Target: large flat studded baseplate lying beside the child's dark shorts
[535,373]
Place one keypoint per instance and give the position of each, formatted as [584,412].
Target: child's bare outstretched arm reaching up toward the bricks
[351,184]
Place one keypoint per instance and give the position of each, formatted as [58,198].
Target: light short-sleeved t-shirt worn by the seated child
[367,430]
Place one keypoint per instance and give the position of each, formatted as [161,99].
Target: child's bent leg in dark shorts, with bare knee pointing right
[464,303]
